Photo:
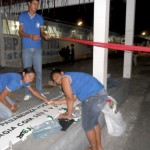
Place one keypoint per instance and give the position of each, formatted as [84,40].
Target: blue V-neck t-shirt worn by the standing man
[31,25]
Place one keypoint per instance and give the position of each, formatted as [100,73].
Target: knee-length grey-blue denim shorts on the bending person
[91,109]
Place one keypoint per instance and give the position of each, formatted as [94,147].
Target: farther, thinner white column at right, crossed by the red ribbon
[129,36]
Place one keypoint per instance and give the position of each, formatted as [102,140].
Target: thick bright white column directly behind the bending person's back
[101,31]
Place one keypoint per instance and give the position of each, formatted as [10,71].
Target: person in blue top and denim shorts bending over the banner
[93,96]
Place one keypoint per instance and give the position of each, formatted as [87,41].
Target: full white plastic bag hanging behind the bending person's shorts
[116,126]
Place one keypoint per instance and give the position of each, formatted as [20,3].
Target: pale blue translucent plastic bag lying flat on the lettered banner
[46,128]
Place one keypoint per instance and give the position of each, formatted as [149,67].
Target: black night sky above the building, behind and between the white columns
[70,14]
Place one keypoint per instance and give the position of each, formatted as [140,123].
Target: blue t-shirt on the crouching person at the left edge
[11,81]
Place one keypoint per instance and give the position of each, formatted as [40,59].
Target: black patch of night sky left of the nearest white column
[84,12]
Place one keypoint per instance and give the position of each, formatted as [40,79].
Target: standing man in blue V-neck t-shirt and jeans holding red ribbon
[31,29]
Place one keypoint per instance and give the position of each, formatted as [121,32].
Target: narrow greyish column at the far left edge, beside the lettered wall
[2,54]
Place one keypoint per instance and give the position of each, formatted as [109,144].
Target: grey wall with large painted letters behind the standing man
[13,55]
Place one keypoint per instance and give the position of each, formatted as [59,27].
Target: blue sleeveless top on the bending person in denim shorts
[83,85]
